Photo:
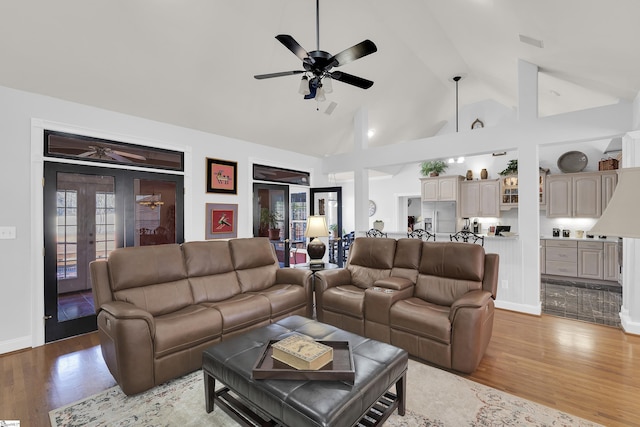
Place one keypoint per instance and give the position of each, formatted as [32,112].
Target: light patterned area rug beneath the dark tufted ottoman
[434,398]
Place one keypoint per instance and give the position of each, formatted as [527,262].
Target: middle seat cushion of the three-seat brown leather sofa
[242,311]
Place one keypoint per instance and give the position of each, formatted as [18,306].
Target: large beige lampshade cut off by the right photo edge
[620,218]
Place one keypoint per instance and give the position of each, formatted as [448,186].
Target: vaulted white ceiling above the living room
[191,63]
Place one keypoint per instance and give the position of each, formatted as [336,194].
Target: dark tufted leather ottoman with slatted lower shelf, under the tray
[378,366]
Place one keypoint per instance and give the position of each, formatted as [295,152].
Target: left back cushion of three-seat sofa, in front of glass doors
[153,278]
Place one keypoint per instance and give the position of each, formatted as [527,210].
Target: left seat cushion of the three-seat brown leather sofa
[186,328]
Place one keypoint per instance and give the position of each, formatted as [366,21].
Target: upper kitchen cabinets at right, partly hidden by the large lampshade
[579,195]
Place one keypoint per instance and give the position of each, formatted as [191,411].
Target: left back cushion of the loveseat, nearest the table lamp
[370,259]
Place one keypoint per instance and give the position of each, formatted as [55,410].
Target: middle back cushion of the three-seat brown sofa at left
[210,270]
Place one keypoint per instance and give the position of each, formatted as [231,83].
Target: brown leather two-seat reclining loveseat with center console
[433,299]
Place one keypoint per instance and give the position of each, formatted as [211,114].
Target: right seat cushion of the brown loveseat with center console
[421,318]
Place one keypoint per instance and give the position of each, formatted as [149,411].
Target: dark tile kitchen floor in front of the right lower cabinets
[594,302]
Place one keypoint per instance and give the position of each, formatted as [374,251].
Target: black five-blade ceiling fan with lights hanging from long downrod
[318,64]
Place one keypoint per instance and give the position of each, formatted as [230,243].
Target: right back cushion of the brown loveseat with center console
[448,271]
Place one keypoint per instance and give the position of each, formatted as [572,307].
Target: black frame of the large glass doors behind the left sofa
[125,232]
